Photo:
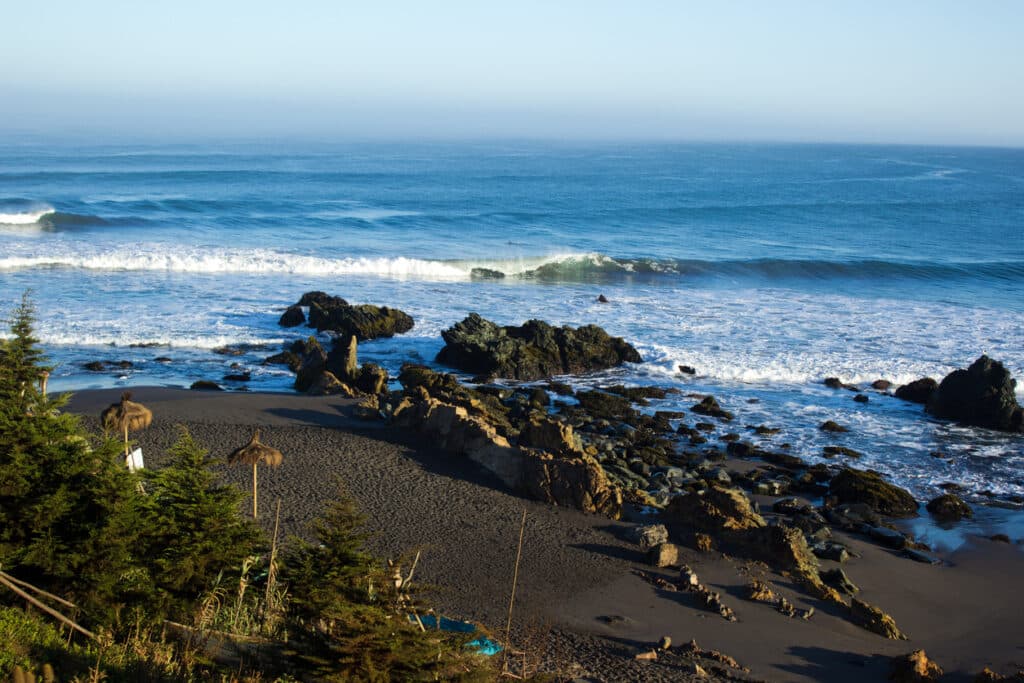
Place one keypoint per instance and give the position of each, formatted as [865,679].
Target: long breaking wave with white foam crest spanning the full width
[562,268]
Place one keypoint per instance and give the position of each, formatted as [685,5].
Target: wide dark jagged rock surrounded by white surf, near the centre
[533,352]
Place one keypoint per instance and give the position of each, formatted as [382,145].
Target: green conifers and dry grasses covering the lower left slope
[113,575]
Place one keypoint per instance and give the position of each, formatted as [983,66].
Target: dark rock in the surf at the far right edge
[983,396]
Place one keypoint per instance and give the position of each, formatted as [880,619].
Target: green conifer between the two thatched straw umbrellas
[194,527]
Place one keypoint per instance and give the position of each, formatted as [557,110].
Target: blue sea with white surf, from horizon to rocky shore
[766,268]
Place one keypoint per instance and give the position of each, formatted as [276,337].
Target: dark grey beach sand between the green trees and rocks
[577,569]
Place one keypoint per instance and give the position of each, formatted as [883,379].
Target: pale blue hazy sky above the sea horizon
[859,71]
